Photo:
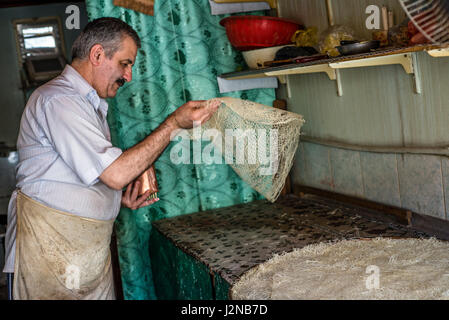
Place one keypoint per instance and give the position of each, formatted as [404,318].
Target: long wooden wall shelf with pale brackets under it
[389,56]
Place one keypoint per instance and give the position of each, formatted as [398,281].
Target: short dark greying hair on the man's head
[108,32]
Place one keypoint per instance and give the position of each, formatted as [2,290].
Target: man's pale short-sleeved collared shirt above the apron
[64,145]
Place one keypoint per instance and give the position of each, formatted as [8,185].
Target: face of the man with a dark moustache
[114,72]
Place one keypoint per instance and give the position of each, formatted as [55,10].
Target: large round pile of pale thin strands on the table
[381,268]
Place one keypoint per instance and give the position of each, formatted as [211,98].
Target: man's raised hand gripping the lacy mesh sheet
[194,111]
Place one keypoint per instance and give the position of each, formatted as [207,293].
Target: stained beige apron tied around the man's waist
[61,256]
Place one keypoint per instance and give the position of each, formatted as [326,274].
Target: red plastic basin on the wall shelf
[255,32]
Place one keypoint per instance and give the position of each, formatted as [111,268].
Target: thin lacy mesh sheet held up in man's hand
[259,142]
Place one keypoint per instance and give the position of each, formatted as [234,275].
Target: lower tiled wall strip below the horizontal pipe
[419,183]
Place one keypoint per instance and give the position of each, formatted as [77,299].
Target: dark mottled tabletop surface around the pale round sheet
[232,240]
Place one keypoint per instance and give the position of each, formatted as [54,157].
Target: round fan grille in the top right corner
[431,18]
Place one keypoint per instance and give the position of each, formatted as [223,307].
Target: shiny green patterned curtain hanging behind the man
[183,49]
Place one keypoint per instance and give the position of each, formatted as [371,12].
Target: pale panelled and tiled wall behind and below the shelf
[379,108]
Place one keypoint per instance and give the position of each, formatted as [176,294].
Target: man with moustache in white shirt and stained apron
[69,176]
